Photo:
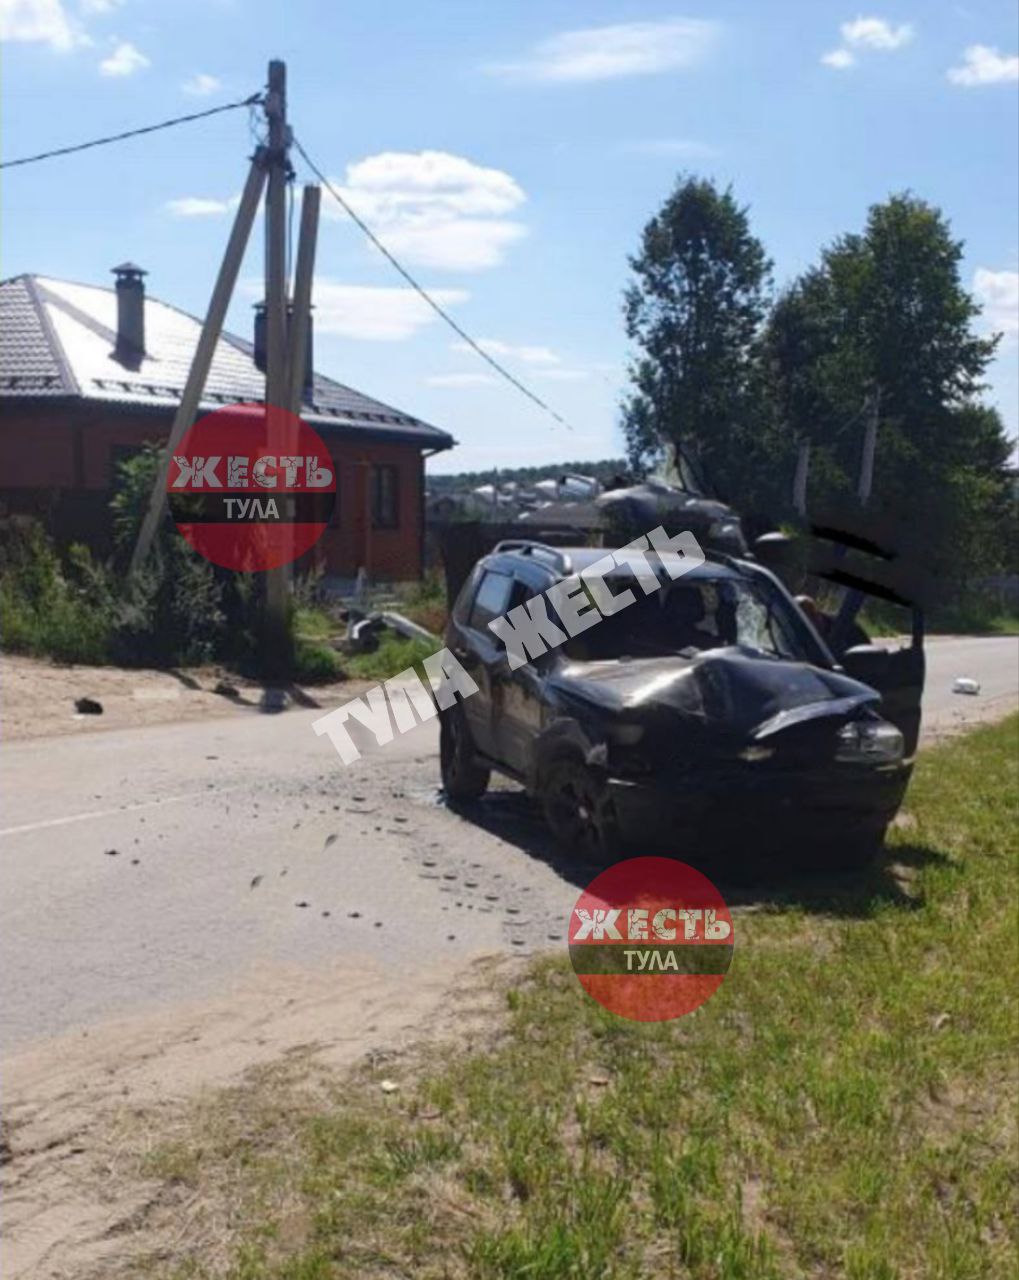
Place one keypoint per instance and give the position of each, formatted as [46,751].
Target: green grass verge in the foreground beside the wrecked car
[846,1105]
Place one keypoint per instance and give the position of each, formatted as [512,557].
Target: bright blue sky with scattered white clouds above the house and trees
[510,153]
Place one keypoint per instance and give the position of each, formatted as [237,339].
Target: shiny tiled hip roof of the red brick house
[58,340]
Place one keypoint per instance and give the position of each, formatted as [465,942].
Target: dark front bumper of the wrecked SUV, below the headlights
[761,813]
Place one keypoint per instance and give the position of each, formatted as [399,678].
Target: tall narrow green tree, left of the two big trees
[694,312]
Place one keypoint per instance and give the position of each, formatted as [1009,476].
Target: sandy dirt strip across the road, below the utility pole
[38,698]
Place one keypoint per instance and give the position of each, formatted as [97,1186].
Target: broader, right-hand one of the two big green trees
[887,314]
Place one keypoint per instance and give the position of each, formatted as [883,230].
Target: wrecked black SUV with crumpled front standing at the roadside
[707,712]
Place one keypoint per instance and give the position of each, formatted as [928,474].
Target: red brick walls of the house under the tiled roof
[53,458]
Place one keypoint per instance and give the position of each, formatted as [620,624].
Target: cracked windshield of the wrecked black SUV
[691,618]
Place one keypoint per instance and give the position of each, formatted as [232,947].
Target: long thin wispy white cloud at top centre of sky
[610,53]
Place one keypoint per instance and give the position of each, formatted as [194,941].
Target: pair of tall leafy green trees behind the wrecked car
[741,381]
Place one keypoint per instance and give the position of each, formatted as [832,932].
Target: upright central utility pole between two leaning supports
[277,656]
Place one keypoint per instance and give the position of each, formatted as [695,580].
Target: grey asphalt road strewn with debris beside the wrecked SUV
[149,867]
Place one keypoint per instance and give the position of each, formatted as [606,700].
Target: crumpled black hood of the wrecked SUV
[732,691]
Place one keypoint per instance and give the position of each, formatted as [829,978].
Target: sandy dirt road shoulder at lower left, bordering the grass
[76,1201]
